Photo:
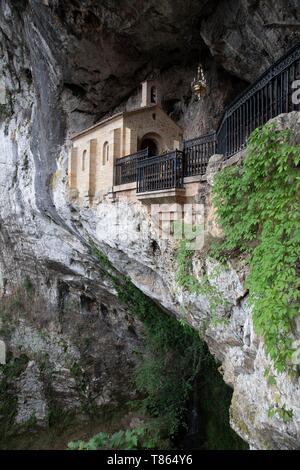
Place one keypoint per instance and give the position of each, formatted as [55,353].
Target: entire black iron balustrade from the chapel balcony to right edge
[270,96]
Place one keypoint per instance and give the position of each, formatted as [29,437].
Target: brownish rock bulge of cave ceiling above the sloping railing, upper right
[247,36]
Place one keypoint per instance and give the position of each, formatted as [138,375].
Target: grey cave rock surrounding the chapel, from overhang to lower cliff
[65,65]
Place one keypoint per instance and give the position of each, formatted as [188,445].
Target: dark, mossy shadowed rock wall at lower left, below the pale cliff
[71,359]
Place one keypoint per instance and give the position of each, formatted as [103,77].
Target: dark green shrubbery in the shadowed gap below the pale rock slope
[171,361]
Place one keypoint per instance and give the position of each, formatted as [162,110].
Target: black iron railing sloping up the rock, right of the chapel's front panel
[265,99]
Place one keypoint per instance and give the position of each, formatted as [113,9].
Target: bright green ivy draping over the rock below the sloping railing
[258,209]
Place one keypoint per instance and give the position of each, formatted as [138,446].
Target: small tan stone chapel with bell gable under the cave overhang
[94,151]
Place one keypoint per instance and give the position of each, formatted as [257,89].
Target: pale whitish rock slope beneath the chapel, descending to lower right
[128,236]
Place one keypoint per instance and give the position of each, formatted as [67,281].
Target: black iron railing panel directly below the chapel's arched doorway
[158,173]
